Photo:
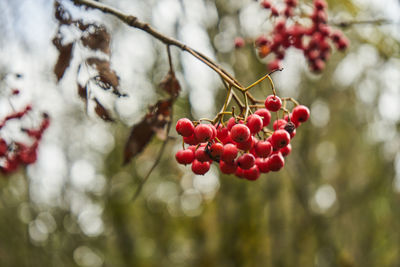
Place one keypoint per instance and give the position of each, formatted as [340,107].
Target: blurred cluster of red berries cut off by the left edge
[13,153]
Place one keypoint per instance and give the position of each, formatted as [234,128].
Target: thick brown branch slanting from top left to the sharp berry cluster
[134,22]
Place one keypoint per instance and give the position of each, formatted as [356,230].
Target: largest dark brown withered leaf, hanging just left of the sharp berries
[155,120]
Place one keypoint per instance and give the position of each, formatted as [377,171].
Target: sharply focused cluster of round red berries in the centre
[238,147]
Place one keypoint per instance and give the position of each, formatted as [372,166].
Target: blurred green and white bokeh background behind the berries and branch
[336,202]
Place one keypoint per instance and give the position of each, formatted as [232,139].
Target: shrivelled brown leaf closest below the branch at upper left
[96,38]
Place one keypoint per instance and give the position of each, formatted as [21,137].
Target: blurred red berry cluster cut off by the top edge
[312,40]
